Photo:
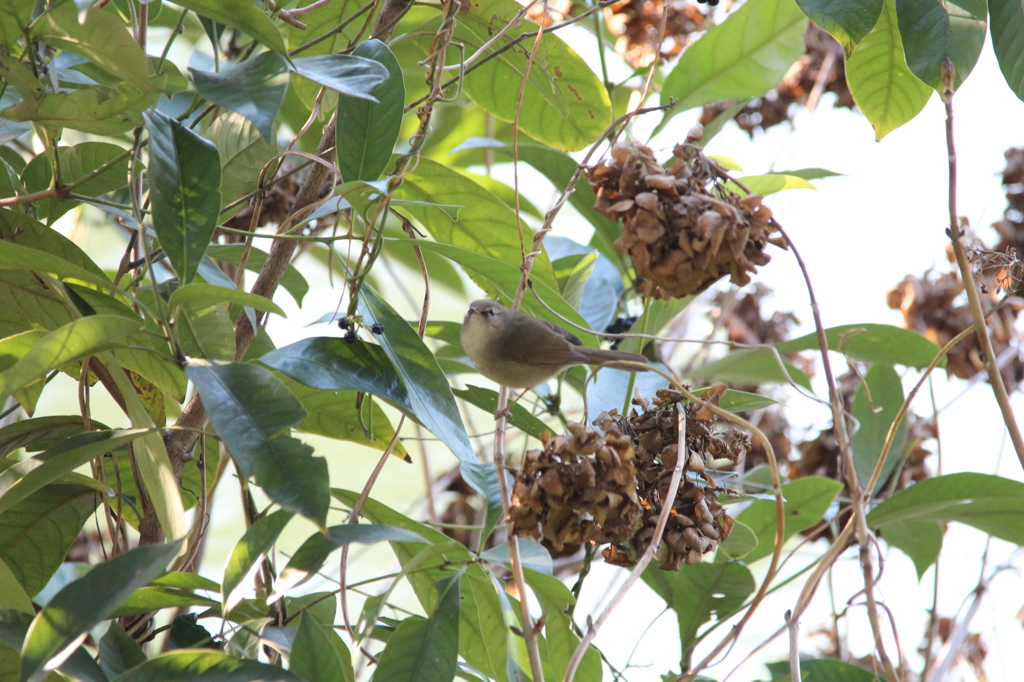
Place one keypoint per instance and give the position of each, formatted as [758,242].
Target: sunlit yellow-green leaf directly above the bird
[486,225]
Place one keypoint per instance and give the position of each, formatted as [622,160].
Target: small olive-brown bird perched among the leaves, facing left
[520,351]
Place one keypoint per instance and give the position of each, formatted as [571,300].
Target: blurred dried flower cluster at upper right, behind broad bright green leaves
[820,70]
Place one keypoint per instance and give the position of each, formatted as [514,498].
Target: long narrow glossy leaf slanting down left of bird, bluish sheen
[430,394]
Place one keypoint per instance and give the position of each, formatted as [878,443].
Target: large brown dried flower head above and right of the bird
[684,228]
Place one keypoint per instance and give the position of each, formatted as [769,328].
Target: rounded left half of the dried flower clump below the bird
[581,488]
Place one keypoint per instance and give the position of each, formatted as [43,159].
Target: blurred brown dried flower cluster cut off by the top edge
[637,23]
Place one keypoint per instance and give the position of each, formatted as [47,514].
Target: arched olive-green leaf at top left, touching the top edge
[99,36]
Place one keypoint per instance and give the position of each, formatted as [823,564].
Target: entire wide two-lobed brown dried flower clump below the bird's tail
[611,489]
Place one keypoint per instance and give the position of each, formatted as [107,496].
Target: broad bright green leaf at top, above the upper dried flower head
[744,57]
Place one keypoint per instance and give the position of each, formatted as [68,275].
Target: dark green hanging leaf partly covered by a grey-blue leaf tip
[368,132]
